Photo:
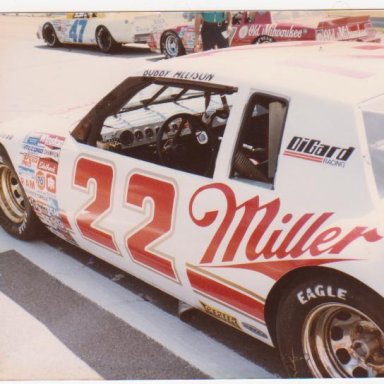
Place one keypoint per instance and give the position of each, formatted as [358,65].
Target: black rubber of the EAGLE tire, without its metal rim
[300,301]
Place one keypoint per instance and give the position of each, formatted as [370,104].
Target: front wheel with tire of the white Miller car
[16,213]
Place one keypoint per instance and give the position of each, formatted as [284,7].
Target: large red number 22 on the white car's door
[96,178]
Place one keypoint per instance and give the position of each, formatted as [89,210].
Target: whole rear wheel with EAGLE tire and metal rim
[331,326]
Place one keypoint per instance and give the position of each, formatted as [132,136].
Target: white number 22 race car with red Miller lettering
[247,182]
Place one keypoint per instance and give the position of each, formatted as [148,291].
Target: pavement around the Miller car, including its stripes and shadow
[65,314]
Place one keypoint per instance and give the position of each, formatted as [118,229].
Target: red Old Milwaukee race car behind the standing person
[257,27]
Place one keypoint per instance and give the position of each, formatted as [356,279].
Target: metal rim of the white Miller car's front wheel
[12,198]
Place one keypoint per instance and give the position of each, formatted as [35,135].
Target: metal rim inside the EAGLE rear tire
[340,341]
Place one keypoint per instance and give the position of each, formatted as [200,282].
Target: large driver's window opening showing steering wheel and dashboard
[175,124]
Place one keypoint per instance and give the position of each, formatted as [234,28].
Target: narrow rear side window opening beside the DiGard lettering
[258,146]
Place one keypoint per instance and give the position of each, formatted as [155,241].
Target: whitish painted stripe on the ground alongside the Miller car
[199,350]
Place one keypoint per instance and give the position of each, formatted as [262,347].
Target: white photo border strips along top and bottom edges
[30,6]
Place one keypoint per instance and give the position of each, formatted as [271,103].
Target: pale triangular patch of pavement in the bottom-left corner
[22,336]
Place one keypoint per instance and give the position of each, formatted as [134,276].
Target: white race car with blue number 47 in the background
[106,30]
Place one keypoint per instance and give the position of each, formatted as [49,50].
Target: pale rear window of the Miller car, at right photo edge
[373,114]
